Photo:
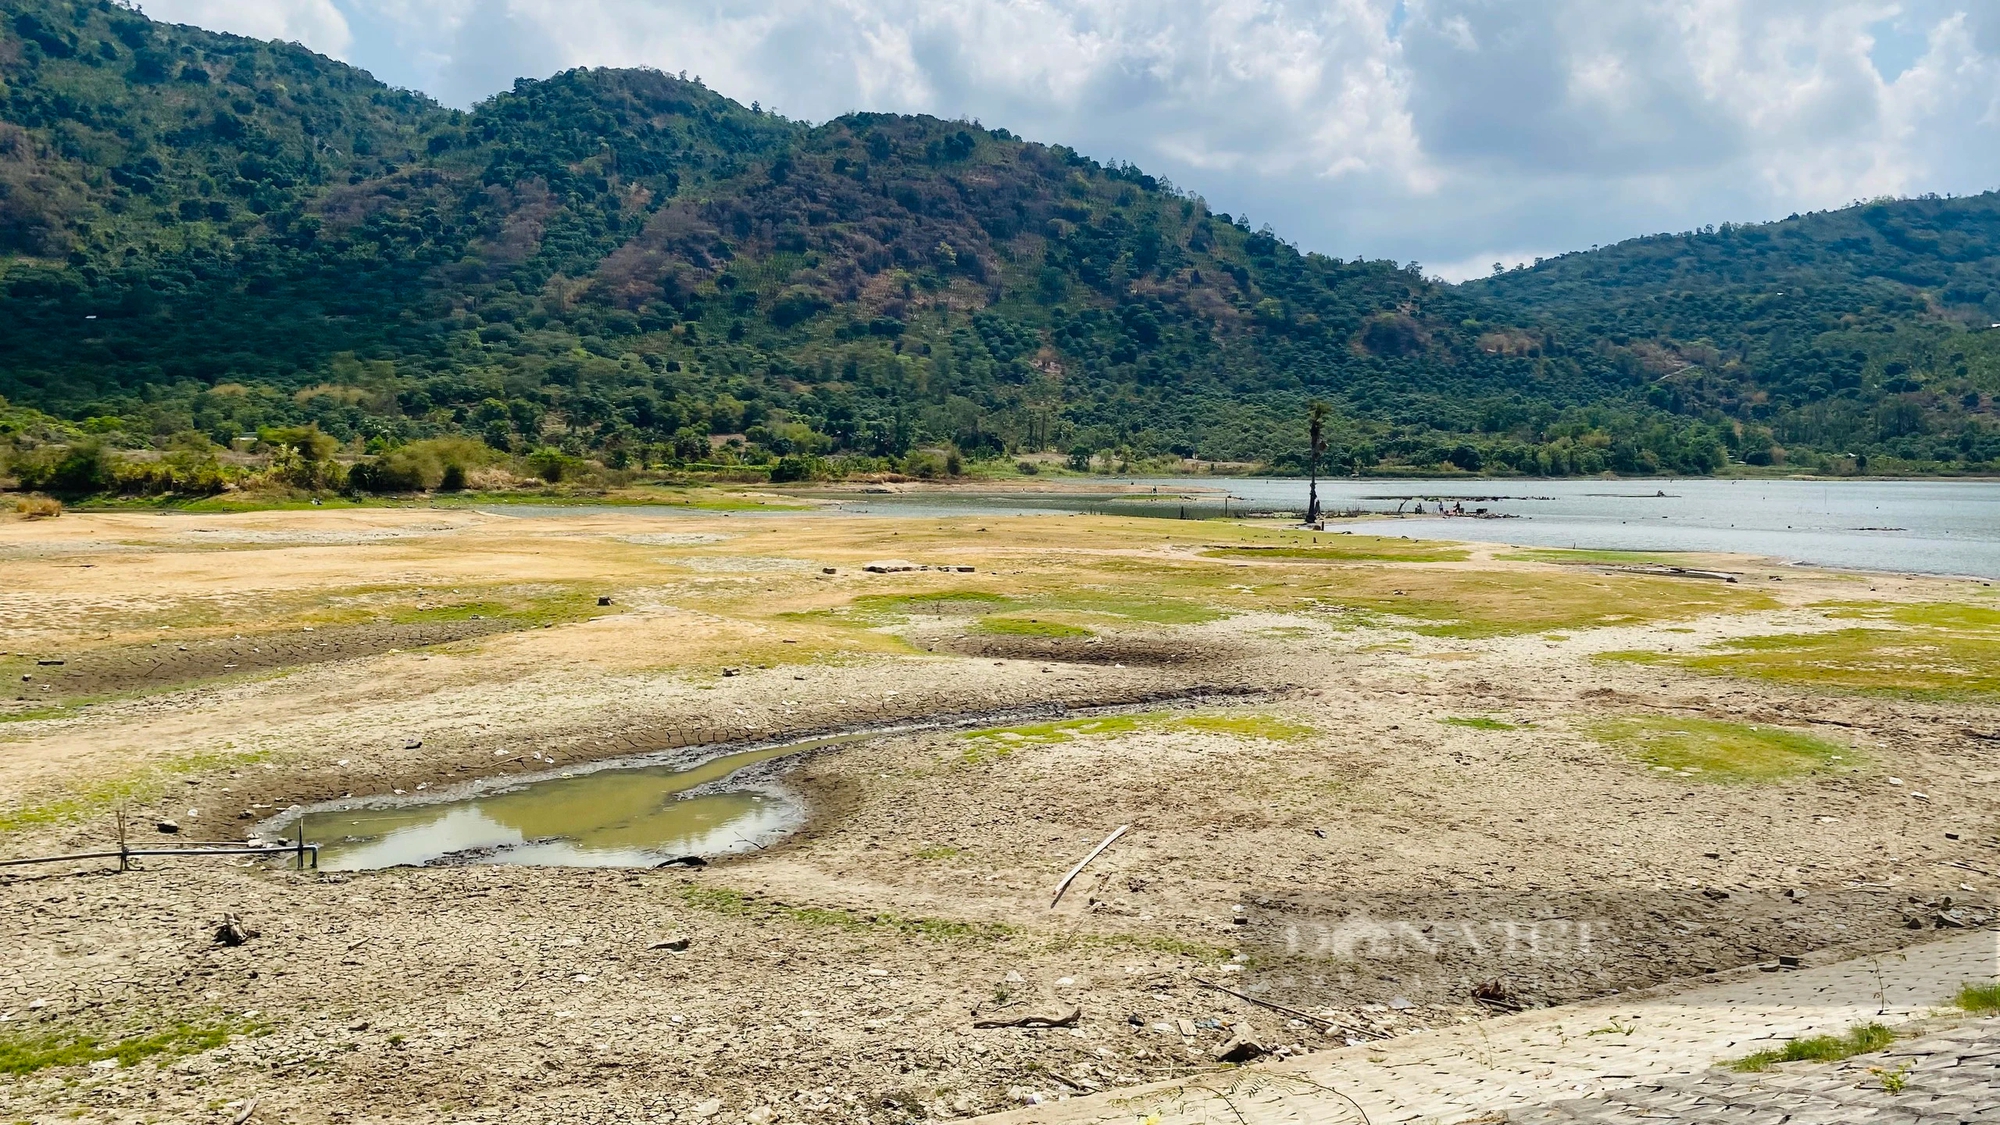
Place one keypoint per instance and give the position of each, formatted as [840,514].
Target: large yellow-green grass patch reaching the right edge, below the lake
[1919,652]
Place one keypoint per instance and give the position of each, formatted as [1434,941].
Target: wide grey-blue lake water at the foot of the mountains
[1931,527]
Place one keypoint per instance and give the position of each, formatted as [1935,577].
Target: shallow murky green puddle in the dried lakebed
[633,816]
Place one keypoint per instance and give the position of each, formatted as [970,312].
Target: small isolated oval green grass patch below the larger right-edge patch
[1719,752]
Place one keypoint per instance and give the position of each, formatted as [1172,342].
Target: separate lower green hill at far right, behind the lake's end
[1861,329]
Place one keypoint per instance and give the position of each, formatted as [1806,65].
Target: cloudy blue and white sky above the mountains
[1449,133]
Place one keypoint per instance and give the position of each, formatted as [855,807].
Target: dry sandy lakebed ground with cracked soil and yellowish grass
[1305,822]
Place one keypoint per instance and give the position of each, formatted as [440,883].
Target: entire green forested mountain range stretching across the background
[209,237]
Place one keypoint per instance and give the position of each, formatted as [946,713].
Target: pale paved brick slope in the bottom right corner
[1623,1060]
